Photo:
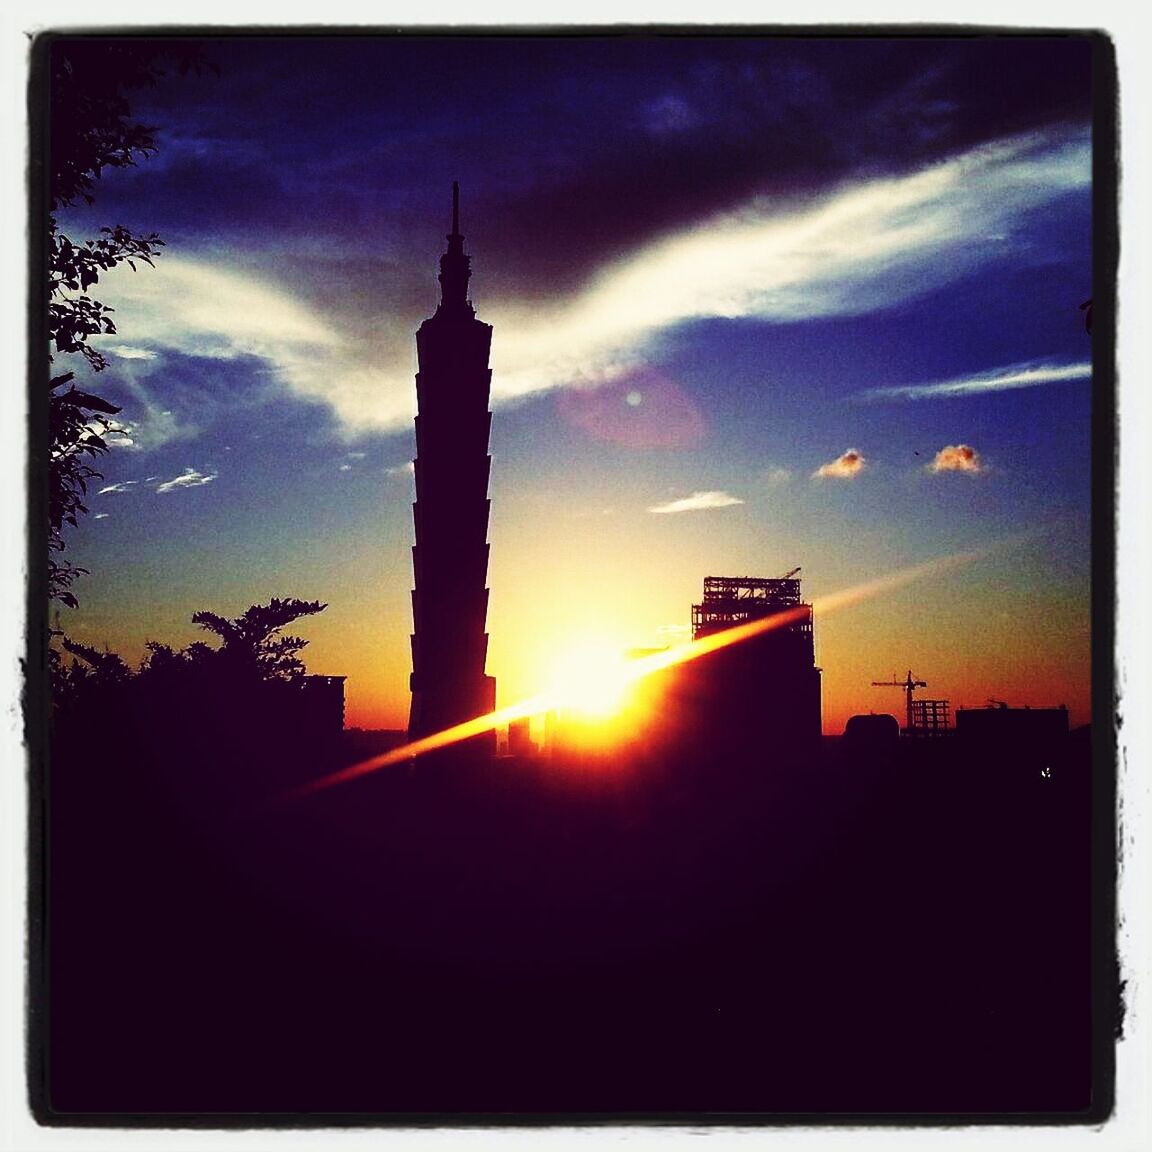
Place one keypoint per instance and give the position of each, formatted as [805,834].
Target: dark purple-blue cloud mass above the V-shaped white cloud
[571,150]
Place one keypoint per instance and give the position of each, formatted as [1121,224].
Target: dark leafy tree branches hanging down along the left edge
[92,131]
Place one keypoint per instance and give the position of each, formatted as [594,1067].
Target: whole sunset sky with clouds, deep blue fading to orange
[759,305]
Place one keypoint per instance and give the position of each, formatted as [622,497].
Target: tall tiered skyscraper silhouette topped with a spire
[451,557]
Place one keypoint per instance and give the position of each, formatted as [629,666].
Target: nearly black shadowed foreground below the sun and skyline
[851,936]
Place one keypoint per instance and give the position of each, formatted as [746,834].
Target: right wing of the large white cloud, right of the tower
[862,249]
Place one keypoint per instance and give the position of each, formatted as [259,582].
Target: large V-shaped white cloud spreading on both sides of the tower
[860,249]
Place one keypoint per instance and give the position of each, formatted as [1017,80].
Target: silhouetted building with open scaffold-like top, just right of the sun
[759,696]
